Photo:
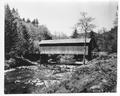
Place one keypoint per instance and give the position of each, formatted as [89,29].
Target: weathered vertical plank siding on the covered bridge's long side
[63,49]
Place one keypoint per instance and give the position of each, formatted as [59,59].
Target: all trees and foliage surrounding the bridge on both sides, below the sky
[21,36]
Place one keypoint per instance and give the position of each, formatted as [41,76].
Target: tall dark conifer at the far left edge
[10,30]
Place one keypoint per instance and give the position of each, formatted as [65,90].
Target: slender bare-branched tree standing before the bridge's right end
[85,26]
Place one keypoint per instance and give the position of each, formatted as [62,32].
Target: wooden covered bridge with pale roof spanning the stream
[66,46]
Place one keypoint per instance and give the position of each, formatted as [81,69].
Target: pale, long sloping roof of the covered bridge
[63,41]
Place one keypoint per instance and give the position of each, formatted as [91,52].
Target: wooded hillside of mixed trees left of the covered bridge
[21,35]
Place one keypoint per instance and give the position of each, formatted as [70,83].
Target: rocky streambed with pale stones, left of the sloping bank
[26,79]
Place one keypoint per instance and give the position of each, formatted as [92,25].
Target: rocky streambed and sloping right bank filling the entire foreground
[98,75]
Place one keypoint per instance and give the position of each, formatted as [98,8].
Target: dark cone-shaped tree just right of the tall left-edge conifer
[22,42]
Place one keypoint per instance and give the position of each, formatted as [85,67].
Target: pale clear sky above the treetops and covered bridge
[60,17]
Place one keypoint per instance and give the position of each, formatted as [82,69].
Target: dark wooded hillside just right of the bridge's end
[107,41]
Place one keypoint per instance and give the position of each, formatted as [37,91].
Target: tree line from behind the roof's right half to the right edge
[106,41]
